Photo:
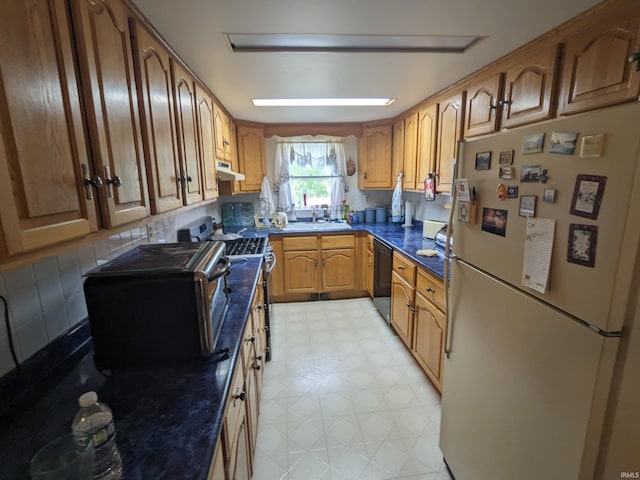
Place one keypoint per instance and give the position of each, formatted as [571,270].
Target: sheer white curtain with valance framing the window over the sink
[315,149]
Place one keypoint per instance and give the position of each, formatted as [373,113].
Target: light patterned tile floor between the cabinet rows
[343,399]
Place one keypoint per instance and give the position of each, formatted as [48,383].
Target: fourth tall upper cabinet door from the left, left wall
[185,102]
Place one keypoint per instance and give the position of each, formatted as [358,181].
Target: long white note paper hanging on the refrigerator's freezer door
[538,246]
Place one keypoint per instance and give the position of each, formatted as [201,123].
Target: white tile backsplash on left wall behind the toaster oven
[47,298]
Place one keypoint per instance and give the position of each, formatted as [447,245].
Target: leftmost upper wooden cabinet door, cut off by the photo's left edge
[43,199]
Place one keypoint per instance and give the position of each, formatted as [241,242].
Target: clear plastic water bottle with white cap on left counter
[96,420]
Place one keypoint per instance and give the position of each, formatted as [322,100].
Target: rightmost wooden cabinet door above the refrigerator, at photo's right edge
[597,71]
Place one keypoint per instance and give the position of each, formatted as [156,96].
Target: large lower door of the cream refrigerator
[521,387]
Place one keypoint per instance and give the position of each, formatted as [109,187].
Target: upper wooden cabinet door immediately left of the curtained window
[251,159]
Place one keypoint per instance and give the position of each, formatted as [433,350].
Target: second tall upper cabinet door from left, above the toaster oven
[105,54]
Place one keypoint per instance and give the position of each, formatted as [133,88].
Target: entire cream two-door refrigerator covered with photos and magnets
[528,371]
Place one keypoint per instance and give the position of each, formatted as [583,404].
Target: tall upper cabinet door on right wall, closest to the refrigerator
[450,120]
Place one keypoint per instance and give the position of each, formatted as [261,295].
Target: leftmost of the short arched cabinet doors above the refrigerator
[482,114]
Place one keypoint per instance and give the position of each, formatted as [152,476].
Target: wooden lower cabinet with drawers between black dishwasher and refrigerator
[418,315]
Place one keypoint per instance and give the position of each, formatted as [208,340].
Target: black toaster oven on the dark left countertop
[157,304]
